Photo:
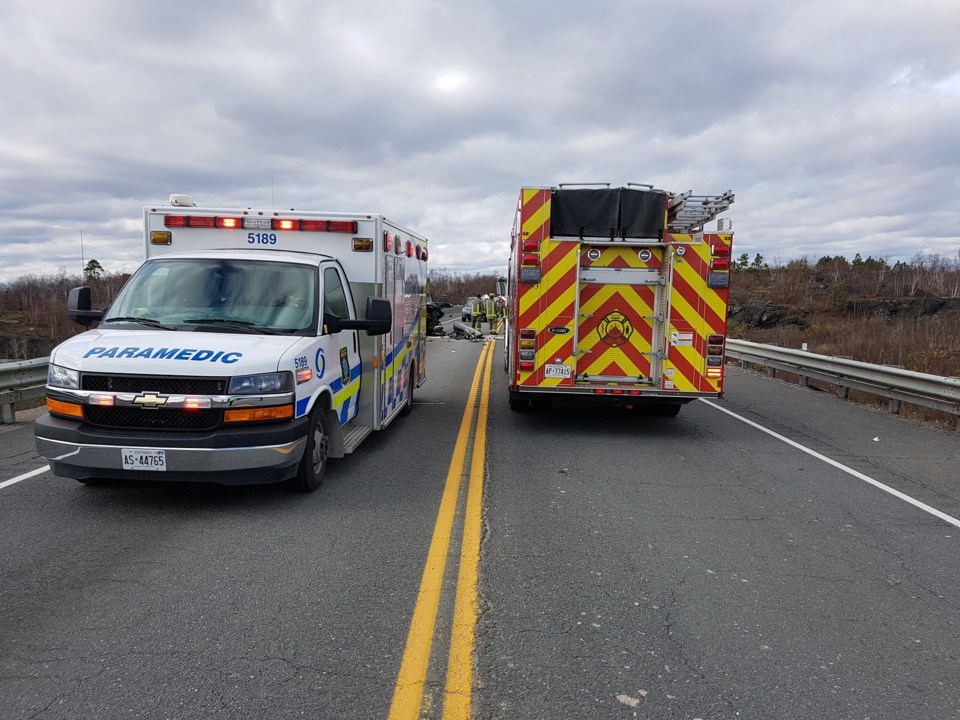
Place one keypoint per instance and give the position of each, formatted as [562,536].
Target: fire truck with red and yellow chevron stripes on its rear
[617,294]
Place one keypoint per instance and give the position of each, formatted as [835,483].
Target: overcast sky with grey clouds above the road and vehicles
[835,122]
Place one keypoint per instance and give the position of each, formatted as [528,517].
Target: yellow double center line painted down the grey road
[408,694]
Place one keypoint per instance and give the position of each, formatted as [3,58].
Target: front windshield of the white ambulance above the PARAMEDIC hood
[219,295]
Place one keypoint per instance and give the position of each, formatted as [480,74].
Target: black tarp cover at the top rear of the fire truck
[607,213]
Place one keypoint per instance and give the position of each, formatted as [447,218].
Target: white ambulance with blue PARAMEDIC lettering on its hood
[237,352]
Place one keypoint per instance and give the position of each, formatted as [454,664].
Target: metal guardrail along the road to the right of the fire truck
[897,384]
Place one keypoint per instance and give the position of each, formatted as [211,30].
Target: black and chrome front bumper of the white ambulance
[234,456]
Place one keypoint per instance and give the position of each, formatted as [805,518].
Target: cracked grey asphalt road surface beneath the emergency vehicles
[630,566]
